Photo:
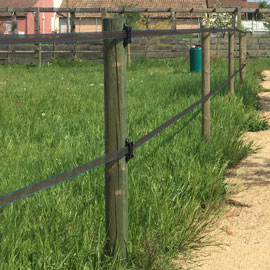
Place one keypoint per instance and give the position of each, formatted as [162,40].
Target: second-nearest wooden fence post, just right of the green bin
[206,84]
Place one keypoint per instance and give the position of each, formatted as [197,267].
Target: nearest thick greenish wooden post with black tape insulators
[116,172]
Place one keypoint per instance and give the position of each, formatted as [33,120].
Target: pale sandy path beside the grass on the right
[244,230]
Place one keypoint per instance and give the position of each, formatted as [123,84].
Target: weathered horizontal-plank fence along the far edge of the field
[151,48]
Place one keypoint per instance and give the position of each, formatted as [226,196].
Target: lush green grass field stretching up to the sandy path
[52,120]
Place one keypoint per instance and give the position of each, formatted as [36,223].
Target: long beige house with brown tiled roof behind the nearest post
[93,22]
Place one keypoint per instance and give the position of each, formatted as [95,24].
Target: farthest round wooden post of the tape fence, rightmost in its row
[242,46]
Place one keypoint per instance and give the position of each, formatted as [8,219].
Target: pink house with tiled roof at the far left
[25,20]
